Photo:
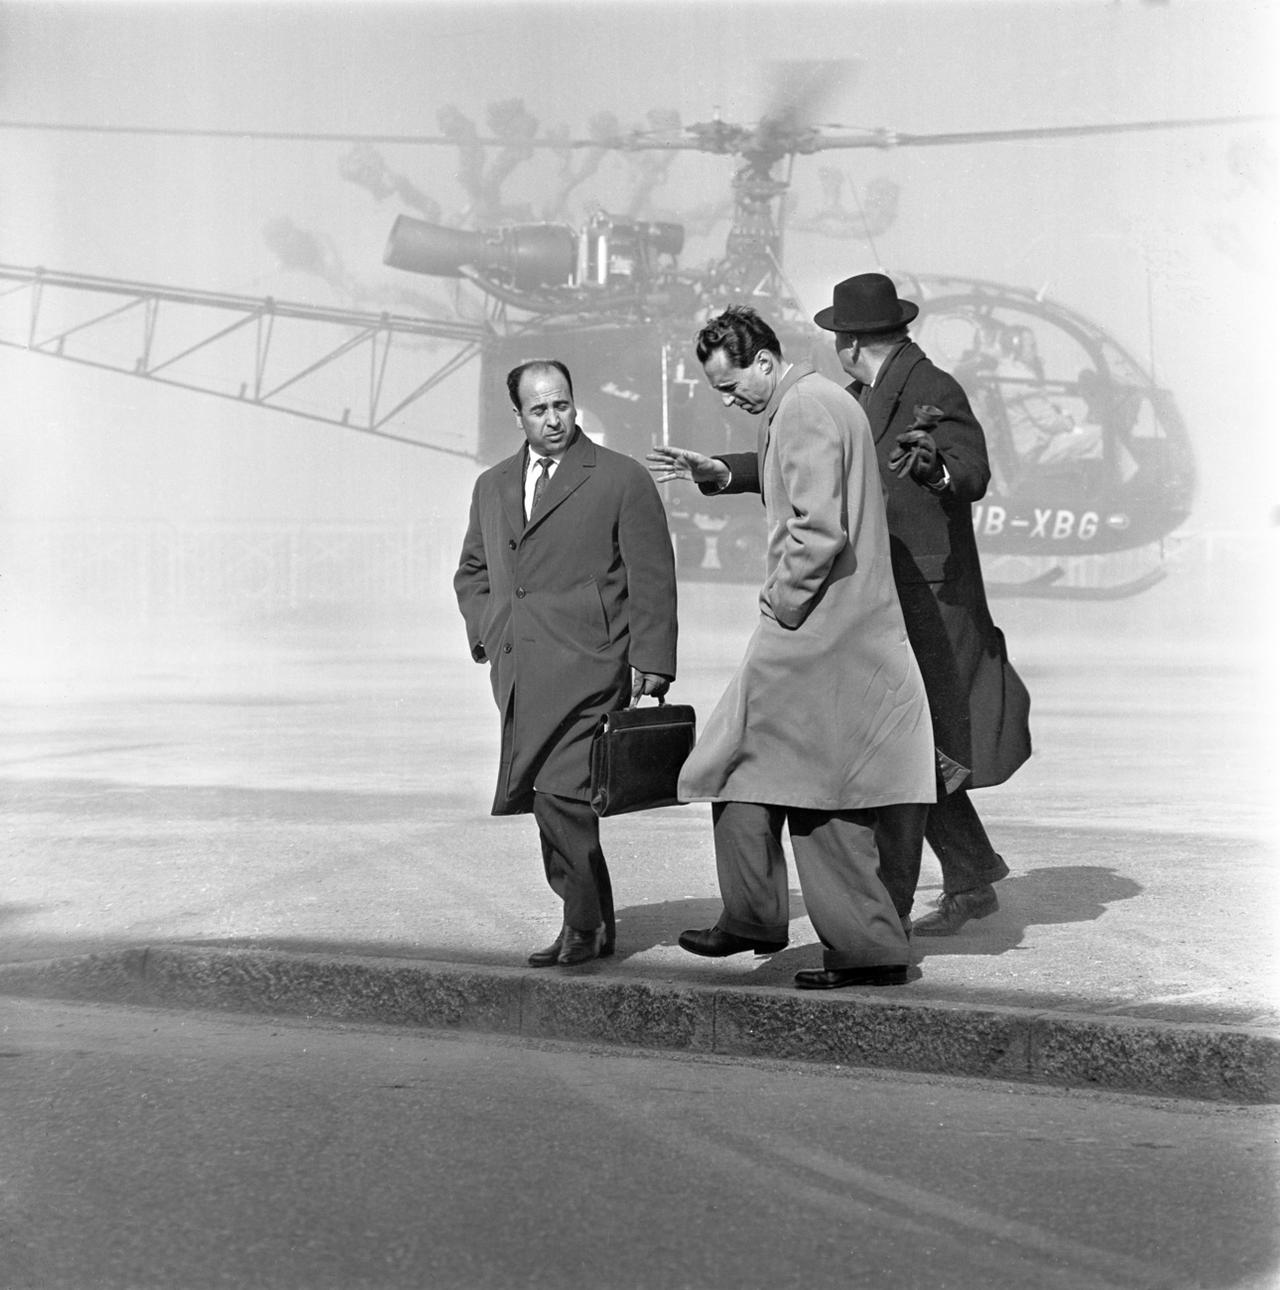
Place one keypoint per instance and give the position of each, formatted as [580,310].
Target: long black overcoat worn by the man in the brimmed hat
[979,702]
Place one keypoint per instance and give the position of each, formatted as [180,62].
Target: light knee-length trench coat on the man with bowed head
[828,710]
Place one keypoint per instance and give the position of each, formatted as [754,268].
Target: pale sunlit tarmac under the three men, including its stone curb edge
[292,815]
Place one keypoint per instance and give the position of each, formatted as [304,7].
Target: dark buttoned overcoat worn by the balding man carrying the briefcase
[563,608]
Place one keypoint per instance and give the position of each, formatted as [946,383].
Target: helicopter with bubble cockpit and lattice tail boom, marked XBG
[1091,457]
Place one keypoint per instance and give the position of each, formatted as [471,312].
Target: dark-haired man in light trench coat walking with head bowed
[826,718]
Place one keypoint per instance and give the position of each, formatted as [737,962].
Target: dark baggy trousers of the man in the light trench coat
[839,871]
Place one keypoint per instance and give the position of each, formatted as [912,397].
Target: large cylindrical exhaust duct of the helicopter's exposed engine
[525,256]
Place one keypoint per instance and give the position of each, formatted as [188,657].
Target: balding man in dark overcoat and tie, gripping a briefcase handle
[567,585]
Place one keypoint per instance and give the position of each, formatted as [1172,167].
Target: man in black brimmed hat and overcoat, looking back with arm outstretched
[934,465]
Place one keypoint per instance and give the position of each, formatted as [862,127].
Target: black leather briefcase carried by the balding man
[637,755]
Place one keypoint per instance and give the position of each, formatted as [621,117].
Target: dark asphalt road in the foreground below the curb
[161,1151]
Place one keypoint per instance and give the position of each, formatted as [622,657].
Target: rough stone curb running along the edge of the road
[847,1027]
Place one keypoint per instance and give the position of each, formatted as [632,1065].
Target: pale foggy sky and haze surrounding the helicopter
[1167,241]
